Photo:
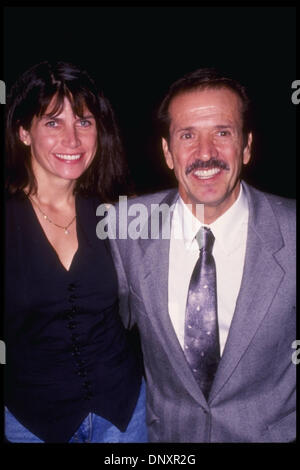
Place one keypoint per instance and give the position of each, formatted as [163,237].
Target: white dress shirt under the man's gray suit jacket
[230,232]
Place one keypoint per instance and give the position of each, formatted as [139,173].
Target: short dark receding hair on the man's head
[199,80]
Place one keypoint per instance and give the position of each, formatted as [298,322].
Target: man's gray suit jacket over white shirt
[253,395]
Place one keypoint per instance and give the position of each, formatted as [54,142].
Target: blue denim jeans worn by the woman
[92,429]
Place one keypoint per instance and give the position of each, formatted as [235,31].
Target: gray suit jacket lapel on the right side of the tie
[261,279]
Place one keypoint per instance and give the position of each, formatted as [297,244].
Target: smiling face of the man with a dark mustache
[206,147]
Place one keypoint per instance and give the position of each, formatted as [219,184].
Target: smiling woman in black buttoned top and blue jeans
[71,375]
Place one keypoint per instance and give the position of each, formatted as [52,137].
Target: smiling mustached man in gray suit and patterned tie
[215,306]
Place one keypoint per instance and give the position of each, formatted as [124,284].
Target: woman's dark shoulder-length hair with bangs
[107,176]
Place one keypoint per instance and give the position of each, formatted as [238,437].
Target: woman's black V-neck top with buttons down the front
[67,352]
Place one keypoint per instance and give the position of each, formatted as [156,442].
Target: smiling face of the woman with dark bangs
[63,146]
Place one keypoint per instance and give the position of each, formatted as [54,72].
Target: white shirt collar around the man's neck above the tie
[226,228]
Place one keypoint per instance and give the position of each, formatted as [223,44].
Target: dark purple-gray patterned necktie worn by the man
[201,334]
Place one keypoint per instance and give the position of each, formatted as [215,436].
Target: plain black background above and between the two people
[135,53]
